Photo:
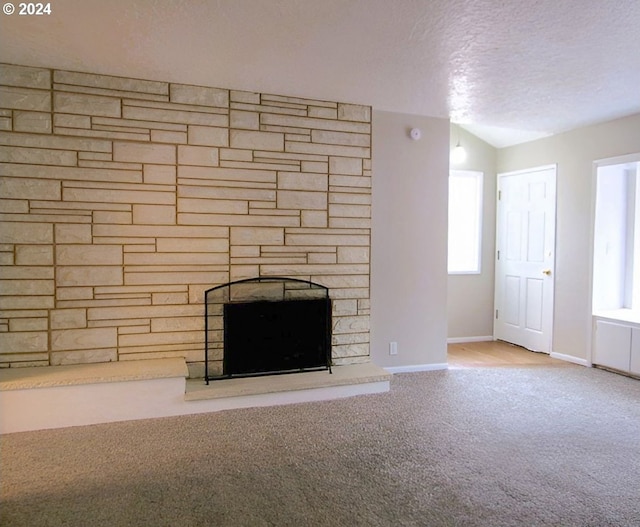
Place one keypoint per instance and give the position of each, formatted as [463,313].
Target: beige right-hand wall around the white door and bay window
[574,152]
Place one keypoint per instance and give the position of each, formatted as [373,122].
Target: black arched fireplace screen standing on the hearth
[266,326]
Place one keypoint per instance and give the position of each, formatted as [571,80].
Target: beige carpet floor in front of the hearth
[479,447]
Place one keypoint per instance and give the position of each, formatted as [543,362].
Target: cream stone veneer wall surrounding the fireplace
[124,199]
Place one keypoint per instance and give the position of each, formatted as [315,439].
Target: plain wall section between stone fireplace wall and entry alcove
[409,240]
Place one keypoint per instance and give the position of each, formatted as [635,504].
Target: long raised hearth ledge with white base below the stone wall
[61,396]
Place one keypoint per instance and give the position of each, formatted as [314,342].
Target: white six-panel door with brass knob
[525,242]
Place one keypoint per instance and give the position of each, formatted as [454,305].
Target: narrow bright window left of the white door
[465,221]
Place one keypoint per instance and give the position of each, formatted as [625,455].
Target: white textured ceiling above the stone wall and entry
[508,70]
